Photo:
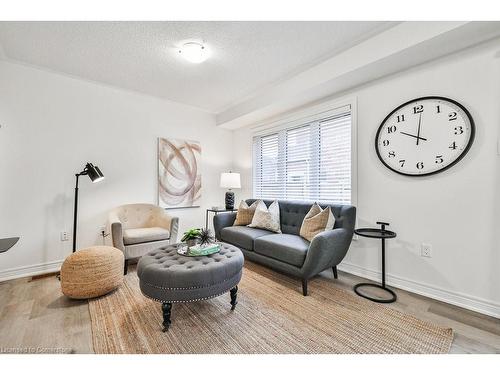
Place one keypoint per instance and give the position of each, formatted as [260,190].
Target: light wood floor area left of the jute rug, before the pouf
[35,314]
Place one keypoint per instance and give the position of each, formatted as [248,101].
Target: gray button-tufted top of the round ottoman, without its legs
[165,269]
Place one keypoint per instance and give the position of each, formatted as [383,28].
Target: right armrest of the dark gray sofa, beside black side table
[327,249]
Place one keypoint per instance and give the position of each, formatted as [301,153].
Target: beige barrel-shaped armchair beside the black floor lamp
[139,228]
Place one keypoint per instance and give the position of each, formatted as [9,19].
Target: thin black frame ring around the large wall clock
[464,152]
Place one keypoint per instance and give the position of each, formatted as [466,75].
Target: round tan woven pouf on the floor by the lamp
[92,272]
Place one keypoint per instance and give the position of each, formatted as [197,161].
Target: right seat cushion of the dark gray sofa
[287,248]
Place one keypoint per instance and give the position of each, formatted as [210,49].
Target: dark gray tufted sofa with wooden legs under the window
[288,252]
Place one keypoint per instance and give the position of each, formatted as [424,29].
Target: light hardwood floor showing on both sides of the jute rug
[34,314]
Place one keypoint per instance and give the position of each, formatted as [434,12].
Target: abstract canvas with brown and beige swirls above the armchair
[179,173]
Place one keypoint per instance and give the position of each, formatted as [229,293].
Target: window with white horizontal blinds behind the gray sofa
[308,160]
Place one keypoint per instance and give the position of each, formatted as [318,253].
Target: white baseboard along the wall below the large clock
[480,305]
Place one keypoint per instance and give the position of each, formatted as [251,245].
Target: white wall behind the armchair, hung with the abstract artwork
[51,125]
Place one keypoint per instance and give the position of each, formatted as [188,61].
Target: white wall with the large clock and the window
[457,211]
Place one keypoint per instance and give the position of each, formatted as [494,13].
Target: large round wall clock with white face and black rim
[424,136]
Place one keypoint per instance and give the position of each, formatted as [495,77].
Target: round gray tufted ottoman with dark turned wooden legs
[168,277]
